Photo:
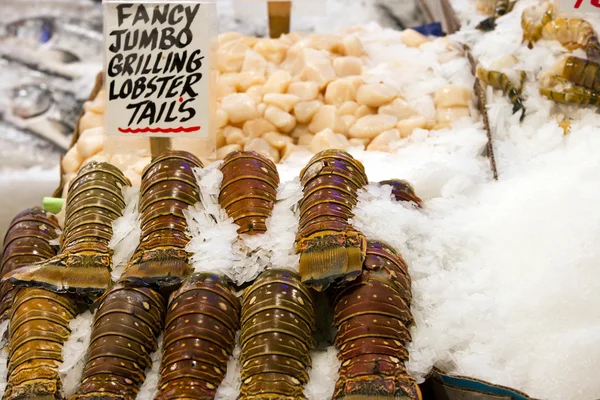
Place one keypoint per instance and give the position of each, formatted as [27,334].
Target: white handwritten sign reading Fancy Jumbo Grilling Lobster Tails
[157,68]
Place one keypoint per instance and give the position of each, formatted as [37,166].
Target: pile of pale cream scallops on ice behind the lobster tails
[366,87]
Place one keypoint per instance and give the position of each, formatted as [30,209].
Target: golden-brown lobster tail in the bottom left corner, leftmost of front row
[39,326]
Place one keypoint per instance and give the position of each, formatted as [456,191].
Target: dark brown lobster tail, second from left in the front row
[124,335]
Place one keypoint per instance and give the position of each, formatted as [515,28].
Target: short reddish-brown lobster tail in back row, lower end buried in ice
[248,190]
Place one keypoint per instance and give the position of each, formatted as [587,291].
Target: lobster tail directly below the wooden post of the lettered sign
[168,188]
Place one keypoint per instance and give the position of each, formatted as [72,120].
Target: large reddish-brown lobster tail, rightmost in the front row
[372,316]
